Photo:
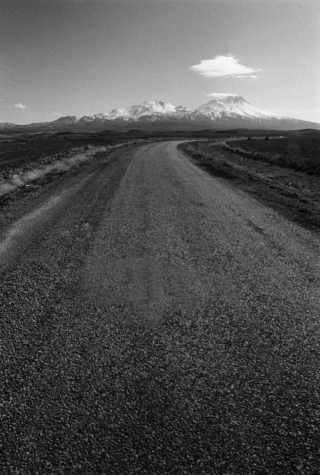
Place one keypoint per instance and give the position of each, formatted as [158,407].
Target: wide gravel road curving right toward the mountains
[156,320]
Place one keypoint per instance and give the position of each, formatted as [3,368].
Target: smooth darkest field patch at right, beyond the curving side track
[300,152]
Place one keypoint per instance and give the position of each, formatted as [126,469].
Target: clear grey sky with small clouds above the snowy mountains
[82,57]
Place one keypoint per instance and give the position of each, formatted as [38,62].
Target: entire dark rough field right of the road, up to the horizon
[273,171]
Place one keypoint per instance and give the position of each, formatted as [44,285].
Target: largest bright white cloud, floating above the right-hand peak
[223,66]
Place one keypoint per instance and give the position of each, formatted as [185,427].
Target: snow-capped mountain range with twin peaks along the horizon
[222,111]
